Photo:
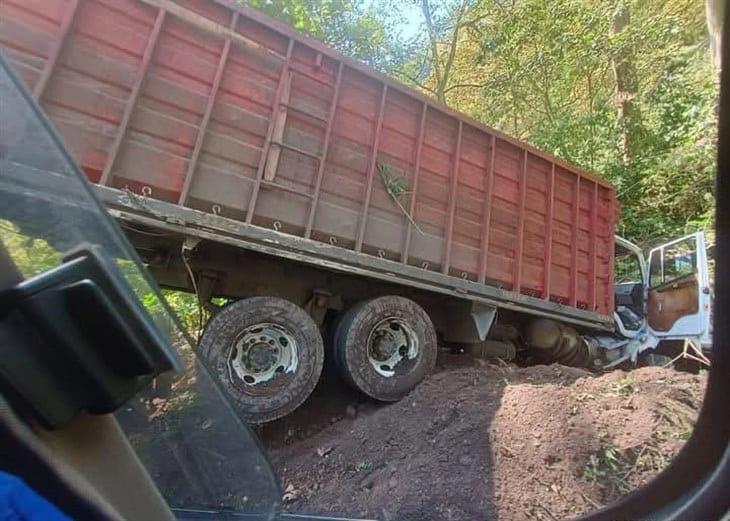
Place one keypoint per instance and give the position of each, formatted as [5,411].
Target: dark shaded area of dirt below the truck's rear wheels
[425,457]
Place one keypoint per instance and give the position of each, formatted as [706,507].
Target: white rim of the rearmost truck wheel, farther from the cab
[262,358]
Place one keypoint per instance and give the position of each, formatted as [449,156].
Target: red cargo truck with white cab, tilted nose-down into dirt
[247,161]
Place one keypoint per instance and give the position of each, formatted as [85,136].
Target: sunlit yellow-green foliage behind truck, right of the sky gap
[546,71]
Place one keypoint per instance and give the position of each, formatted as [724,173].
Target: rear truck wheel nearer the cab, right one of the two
[385,346]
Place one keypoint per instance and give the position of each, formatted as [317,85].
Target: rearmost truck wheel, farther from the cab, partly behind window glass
[267,353]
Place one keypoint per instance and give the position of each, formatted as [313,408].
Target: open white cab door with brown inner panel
[679,300]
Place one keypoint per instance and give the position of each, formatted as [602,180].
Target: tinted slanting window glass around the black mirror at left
[194,446]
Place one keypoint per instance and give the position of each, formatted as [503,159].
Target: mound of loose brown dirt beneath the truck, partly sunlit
[489,442]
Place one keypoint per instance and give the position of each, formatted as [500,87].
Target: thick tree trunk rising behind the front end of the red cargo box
[628,112]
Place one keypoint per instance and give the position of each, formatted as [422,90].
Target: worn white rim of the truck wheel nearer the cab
[391,343]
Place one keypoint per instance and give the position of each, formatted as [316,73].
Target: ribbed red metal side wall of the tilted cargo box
[217,108]
